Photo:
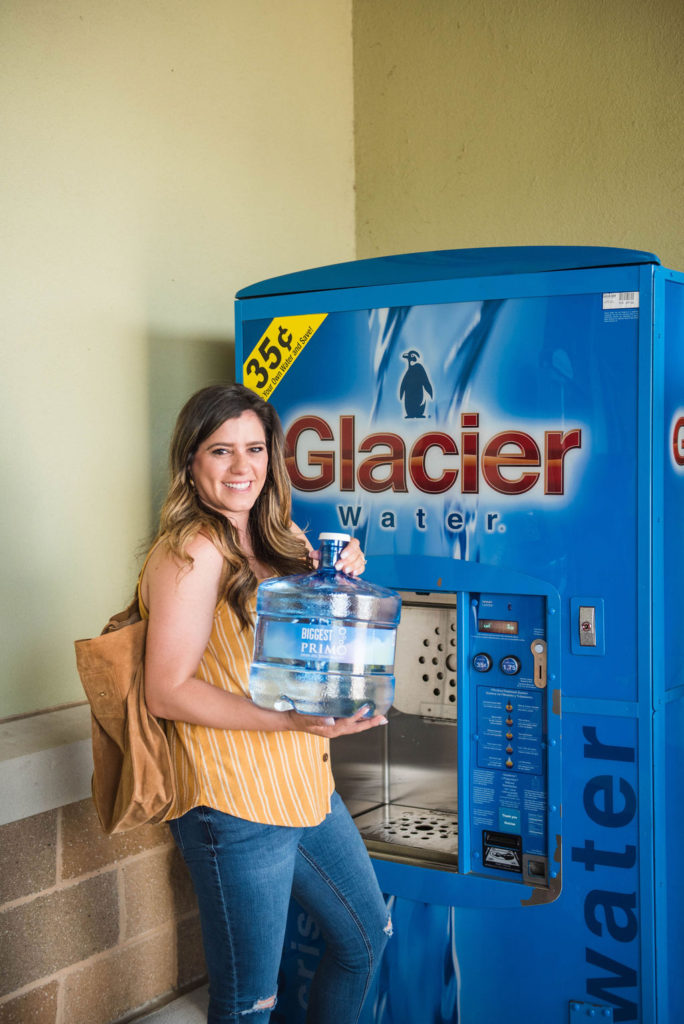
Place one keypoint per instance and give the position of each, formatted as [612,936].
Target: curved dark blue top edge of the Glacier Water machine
[448,265]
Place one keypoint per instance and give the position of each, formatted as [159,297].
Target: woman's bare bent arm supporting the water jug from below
[182,603]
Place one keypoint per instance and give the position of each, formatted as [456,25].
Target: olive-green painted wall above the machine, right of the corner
[520,122]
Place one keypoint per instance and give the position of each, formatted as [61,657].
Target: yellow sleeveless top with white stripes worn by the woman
[280,779]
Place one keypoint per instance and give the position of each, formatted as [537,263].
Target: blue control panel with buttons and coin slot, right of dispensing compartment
[508,695]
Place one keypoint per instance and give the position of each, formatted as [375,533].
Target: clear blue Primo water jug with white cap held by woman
[324,643]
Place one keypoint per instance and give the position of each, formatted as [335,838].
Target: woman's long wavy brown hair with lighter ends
[184,515]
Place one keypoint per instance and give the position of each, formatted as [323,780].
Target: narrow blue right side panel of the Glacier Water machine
[669,641]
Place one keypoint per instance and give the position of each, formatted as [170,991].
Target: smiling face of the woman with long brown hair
[230,467]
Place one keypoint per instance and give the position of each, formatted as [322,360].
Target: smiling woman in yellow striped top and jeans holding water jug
[256,818]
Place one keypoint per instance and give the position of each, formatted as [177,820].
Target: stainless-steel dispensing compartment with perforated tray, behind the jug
[401,783]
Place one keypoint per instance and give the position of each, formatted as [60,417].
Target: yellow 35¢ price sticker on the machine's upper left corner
[283,342]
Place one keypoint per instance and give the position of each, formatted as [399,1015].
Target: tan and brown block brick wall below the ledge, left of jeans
[93,928]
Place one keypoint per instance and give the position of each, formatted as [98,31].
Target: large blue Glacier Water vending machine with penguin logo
[504,432]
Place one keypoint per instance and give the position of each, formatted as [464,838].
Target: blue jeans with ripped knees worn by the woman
[244,875]
